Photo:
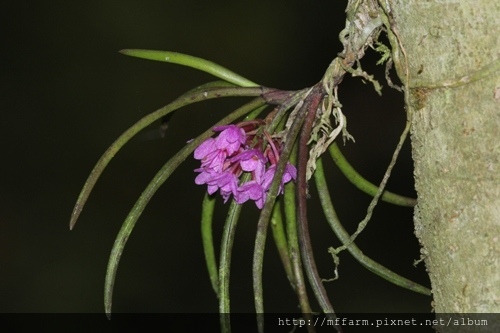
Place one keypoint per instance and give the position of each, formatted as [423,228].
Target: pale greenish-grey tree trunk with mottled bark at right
[453,51]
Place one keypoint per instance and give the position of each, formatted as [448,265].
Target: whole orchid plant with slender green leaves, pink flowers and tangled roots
[269,146]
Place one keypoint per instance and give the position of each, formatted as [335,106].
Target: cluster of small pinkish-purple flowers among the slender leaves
[233,152]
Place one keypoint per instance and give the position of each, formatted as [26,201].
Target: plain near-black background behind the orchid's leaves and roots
[66,94]
